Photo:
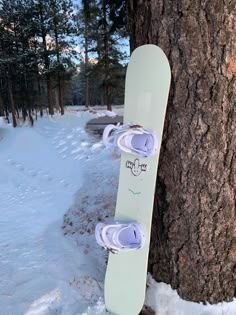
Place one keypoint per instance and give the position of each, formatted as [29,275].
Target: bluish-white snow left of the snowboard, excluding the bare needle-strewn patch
[42,169]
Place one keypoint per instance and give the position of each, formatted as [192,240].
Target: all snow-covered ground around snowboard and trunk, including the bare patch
[56,183]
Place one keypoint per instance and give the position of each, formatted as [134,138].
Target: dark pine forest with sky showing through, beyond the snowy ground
[59,52]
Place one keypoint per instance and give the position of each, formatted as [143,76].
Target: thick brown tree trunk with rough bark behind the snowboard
[193,244]
